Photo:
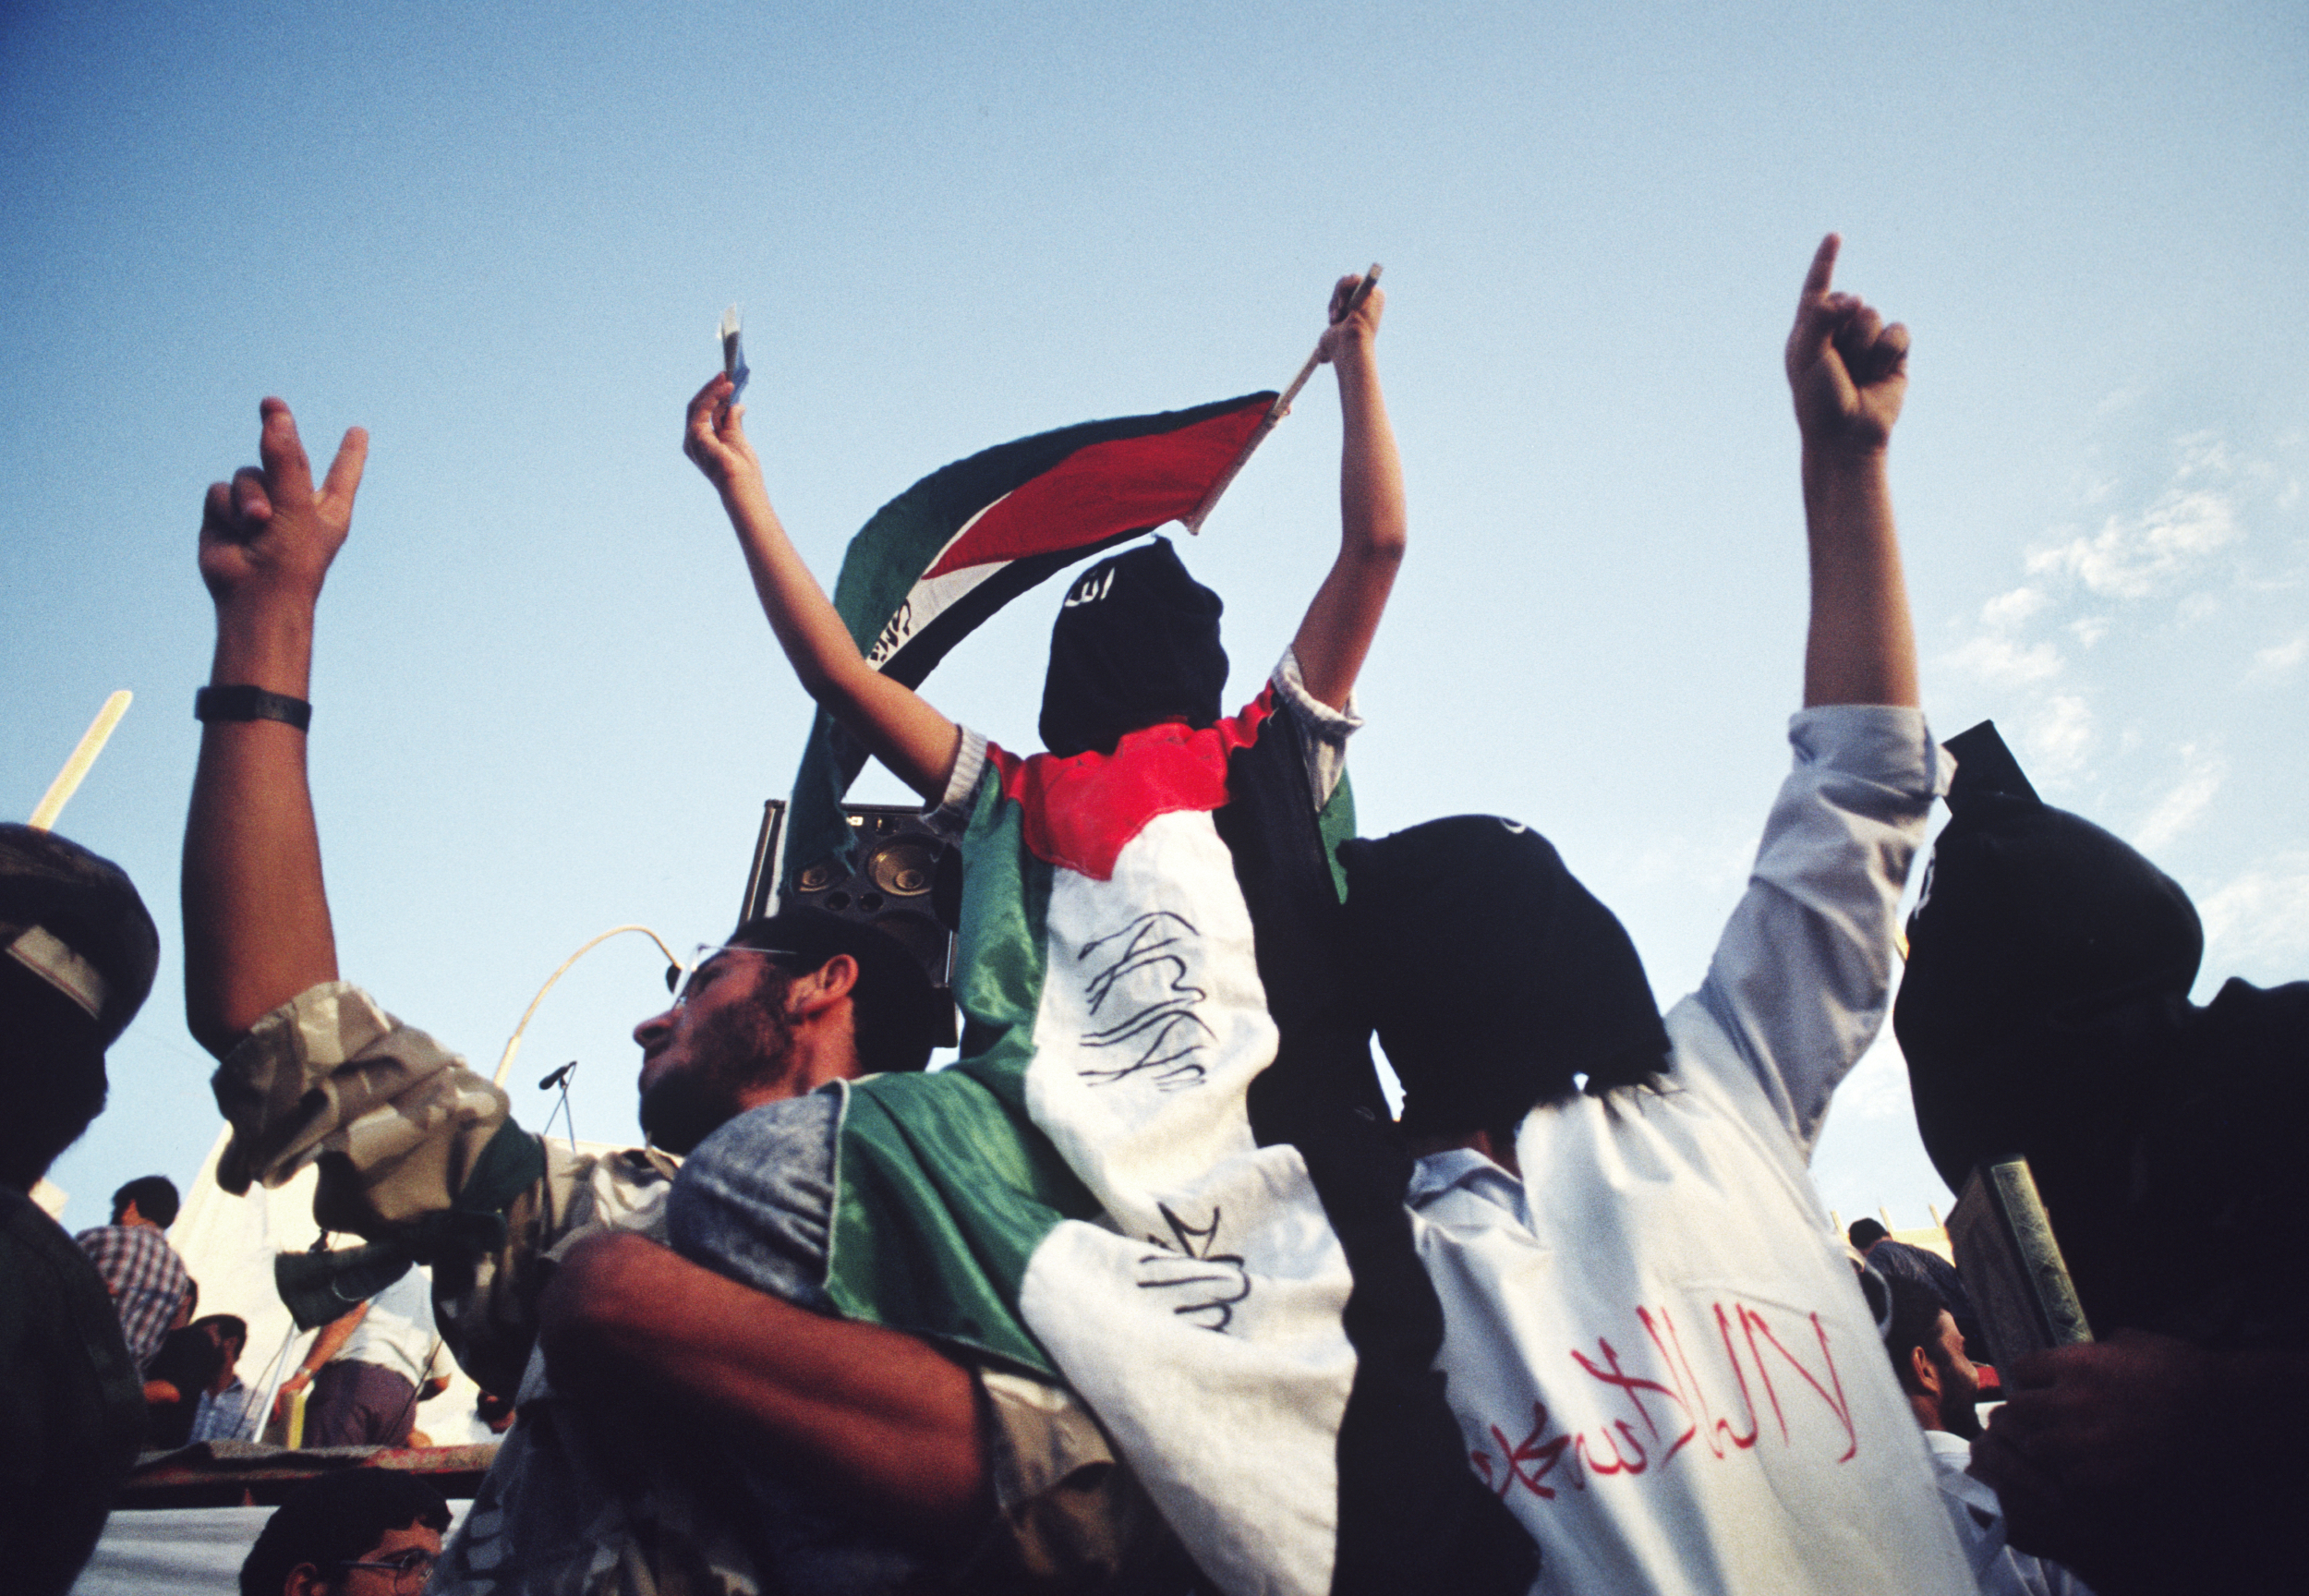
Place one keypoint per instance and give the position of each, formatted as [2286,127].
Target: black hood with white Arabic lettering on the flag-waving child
[1135,643]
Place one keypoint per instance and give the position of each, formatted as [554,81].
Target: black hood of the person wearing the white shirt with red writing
[1495,976]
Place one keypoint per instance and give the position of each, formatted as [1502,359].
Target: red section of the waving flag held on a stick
[1107,489]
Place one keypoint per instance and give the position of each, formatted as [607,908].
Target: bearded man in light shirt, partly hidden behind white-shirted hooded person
[1943,1389]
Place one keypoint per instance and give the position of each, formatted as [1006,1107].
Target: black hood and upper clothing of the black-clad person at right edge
[2047,1015]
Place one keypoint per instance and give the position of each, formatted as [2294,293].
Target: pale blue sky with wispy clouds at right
[546,701]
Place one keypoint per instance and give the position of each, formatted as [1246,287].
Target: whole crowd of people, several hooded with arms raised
[1151,1292]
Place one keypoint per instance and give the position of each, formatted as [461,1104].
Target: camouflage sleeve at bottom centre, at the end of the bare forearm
[1070,1516]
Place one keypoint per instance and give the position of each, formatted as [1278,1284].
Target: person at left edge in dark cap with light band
[77,957]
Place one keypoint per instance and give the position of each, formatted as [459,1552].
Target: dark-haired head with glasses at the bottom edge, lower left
[364,1532]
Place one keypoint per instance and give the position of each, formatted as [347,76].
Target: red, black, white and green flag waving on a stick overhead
[964,542]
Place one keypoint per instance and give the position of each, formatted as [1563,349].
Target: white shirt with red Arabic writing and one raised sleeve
[1654,1343]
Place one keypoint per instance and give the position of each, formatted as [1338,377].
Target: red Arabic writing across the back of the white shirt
[1675,1412]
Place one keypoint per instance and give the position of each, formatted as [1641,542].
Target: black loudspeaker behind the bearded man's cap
[909,886]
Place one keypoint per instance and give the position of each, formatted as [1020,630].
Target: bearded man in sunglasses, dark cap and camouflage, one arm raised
[895,1463]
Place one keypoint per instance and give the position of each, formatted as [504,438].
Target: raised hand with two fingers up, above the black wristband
[269,532]
